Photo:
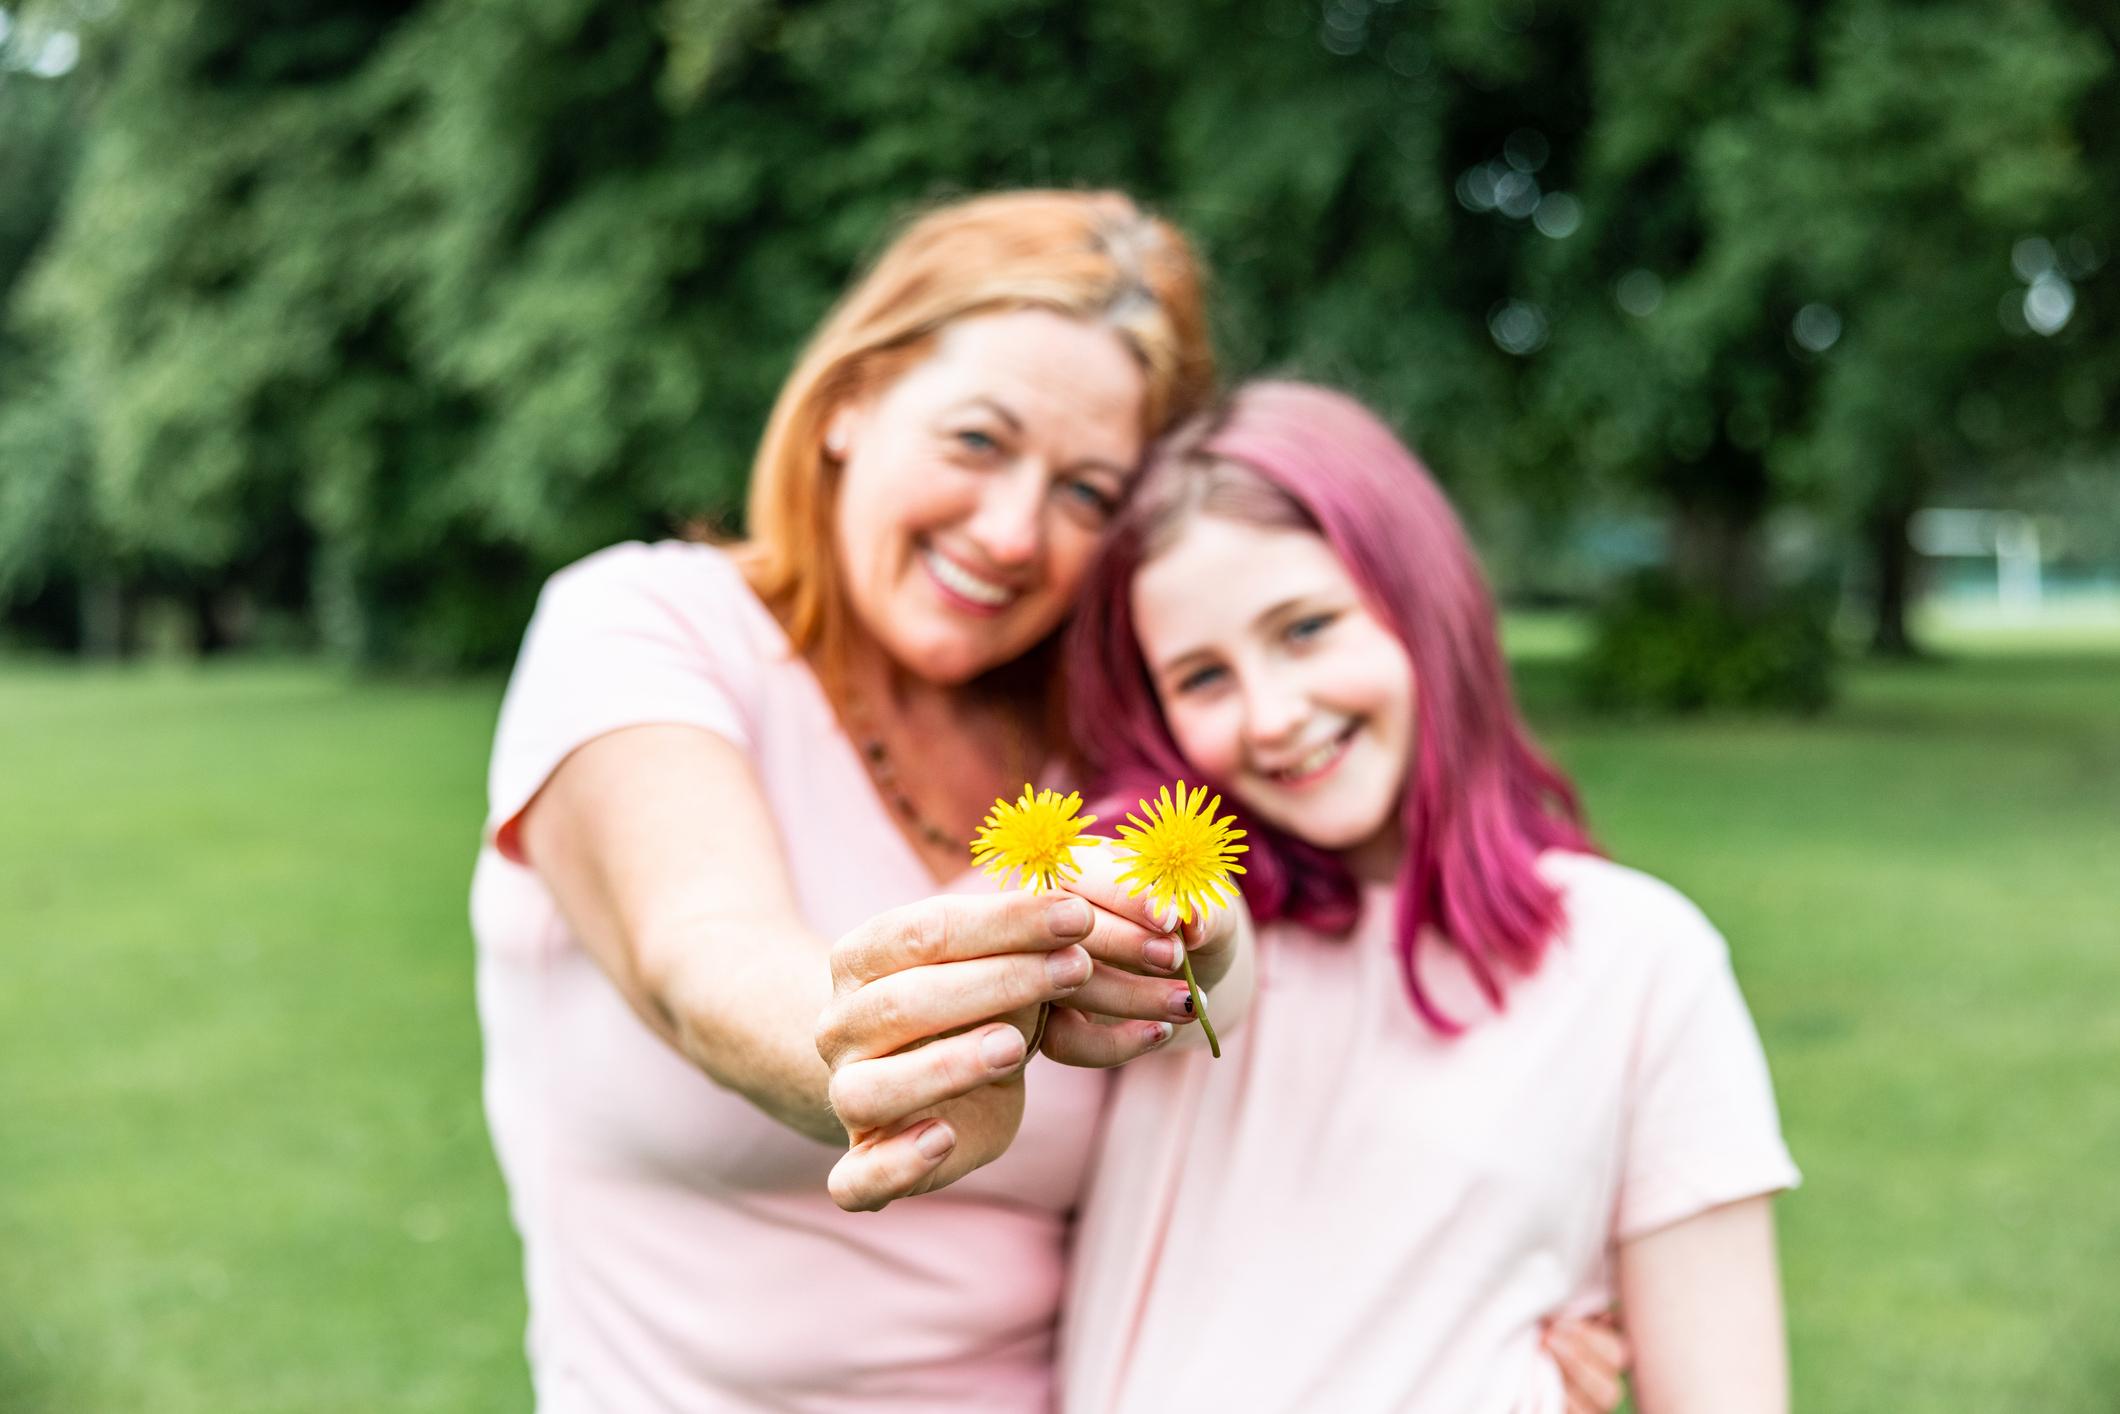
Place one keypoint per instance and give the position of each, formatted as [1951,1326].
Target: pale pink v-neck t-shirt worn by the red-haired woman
[679,1248]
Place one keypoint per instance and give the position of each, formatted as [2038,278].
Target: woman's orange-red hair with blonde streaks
[1093,255]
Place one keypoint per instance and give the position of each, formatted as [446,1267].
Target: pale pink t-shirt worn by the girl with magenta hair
[1354,1214]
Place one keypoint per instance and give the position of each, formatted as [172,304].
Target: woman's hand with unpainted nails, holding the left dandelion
[934,1012]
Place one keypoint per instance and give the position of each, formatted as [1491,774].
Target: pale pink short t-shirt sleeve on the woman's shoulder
[635,635]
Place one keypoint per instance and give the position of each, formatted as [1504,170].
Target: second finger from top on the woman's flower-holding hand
[930,1002]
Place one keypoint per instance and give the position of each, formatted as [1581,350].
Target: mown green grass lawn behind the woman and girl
[243,1165]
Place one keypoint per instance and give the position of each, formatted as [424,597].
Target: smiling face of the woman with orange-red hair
[976,487]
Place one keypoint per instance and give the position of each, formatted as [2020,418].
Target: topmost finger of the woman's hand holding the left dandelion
[955,927]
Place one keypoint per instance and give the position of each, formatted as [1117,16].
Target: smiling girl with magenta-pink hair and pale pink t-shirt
[1489,1078]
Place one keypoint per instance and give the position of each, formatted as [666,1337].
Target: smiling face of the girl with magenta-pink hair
[1279,684]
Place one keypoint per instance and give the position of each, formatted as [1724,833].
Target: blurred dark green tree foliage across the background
[376,313]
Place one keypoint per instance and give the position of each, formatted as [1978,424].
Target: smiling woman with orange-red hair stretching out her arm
[713,764]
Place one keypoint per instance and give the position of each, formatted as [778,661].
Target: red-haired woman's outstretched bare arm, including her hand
[667,862]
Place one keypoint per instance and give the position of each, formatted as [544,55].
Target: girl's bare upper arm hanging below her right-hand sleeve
[1701,1303]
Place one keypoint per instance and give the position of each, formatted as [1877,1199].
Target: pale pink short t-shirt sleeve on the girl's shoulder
[1701,1123]
